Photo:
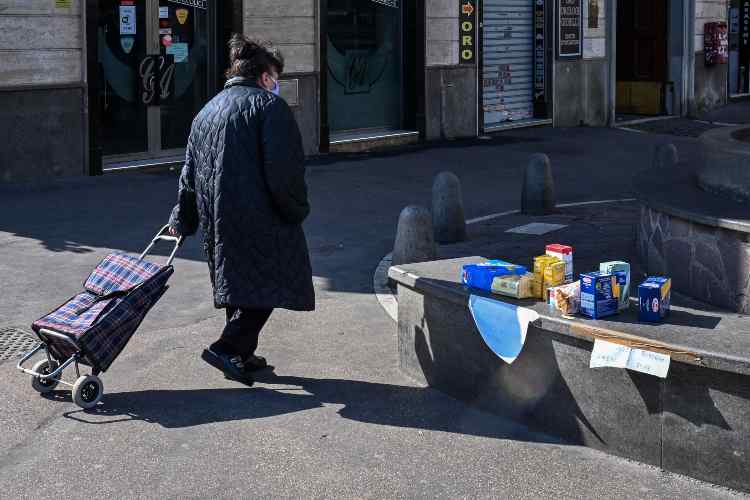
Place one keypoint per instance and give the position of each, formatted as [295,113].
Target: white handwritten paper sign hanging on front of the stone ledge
[608,354]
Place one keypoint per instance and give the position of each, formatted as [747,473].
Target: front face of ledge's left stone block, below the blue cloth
[549,388]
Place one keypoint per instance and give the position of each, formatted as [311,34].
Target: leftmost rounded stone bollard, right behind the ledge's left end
[415,240]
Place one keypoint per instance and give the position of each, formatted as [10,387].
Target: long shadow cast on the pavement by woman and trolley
[381,404]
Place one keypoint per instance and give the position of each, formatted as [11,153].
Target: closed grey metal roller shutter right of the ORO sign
[508,76]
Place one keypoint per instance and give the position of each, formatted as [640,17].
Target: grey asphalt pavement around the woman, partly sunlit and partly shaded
[336,418]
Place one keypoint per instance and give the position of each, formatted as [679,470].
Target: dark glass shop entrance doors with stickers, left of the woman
[153,75]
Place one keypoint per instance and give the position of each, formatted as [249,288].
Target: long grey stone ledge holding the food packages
[694,422]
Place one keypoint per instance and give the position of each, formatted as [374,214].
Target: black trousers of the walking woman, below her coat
[240,335]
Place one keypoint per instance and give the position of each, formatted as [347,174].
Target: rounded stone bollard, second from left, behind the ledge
[448,209]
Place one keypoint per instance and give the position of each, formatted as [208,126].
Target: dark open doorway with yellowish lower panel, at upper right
[643,85]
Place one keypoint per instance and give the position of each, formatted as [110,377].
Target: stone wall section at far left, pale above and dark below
[42,101]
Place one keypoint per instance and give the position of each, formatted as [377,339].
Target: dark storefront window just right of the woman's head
[365,75]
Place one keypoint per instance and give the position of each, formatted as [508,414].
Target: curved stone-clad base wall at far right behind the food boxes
[708,263]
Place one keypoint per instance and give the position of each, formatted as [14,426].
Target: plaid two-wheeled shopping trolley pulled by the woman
[93,327]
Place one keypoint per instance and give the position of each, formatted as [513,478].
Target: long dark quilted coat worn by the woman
[243,183]
